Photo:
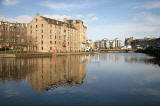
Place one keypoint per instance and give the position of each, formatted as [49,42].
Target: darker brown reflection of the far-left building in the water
[15,69]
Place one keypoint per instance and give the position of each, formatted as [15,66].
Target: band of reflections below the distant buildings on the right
[124,57]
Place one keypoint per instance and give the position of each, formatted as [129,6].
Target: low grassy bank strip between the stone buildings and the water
[30,55]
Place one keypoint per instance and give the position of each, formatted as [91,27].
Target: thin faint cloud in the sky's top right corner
[149,5]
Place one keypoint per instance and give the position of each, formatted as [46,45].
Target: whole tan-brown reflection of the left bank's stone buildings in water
[45,73]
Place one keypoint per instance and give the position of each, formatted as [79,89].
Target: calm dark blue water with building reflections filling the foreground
[106,79]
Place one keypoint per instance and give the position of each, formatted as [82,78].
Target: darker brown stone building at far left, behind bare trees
[13,36]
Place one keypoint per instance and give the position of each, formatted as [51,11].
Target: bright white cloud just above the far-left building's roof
[20,19]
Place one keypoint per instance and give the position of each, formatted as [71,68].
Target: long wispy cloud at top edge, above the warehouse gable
[63,6]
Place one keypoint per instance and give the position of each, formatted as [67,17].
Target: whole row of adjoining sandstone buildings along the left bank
[44,34]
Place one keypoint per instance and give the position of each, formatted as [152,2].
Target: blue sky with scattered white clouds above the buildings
[103,18]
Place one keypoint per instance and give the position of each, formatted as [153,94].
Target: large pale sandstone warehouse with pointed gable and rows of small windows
[58,36]
